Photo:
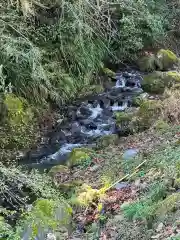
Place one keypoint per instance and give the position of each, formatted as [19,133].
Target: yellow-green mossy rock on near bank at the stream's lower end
[77,157]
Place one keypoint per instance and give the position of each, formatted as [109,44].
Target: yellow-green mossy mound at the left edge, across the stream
[18,130]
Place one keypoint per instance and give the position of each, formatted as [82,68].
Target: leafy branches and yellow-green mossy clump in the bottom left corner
[50,210]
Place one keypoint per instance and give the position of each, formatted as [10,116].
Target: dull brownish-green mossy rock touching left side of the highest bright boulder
[147,63]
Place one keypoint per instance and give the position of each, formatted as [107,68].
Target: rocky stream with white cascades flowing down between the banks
[87,121]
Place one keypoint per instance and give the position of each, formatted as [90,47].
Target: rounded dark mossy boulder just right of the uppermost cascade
[154,83]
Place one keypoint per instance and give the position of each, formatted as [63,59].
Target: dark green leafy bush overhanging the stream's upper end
[139,24]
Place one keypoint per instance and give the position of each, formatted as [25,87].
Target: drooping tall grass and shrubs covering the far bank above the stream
[51,49]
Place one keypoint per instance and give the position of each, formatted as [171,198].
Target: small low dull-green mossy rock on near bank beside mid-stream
[105,141]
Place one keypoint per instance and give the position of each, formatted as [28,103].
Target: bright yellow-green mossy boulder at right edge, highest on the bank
[166,59]
